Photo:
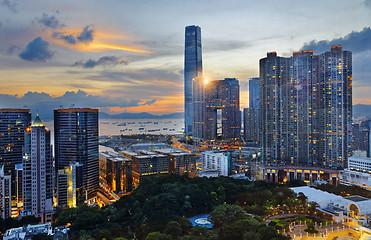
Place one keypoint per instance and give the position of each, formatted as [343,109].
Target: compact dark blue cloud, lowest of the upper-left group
[37,51]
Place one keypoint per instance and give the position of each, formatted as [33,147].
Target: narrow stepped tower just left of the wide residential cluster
[252,114]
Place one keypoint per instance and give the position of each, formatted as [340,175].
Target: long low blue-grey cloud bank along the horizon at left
[45,103]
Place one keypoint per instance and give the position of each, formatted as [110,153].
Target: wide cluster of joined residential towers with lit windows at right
[306,112]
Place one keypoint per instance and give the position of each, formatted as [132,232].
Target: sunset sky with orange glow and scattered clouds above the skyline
[125,55]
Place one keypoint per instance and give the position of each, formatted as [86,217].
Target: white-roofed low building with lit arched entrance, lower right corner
[354,211]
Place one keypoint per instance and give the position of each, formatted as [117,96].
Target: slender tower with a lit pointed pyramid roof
[37,172]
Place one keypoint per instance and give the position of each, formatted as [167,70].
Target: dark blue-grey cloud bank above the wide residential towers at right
[354,41]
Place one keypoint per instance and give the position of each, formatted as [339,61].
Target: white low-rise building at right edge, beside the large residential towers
[358,173]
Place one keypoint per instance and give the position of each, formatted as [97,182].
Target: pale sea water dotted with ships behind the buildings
[110,127]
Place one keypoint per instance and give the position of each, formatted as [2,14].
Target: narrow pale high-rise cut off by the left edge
[5,194]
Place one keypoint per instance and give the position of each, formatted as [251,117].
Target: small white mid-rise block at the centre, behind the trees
[218,162]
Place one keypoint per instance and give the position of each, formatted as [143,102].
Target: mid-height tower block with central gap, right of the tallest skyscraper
[222,109]
